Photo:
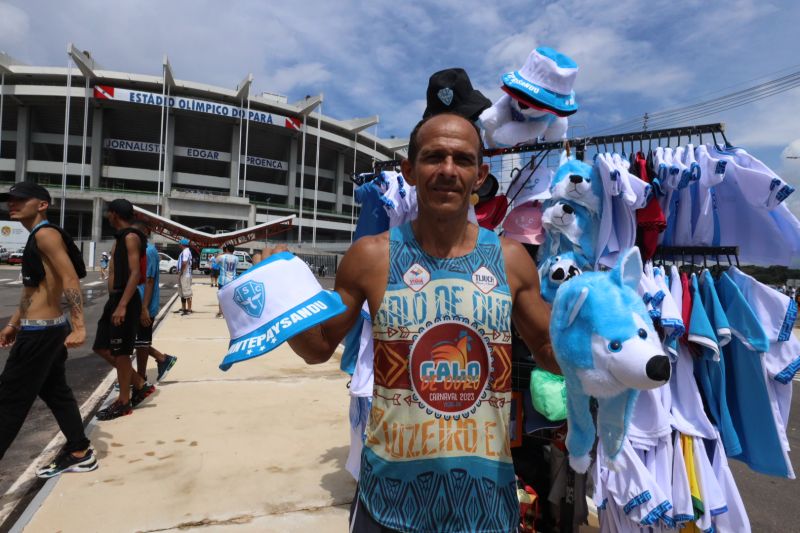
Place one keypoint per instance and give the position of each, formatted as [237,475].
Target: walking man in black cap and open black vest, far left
[40,333]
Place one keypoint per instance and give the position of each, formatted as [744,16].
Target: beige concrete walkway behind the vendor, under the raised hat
[261,447]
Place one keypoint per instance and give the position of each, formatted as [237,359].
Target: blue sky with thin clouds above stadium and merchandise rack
[375,57]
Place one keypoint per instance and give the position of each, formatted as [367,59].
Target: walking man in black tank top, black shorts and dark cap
[117,327]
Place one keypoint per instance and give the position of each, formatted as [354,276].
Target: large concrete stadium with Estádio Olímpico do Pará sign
[230,158]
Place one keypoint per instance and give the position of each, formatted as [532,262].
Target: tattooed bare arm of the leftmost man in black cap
[54,251]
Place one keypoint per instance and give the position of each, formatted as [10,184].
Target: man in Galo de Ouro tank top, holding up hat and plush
[436,457]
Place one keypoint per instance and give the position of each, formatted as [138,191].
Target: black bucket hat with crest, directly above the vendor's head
[450,91]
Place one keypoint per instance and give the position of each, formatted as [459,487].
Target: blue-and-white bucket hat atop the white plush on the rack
[546,78]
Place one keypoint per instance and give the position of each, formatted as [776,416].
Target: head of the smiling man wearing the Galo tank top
[447,169]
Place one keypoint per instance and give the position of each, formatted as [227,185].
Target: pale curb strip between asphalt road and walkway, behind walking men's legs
[90,406]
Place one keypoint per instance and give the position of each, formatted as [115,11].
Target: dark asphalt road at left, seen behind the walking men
[84,369]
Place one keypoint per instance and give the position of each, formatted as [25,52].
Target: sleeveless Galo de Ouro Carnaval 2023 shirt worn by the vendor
[437,455]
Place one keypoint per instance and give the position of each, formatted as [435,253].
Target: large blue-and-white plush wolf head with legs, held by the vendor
[607,348]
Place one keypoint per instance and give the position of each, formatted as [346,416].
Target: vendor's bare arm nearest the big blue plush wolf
[530,313]
